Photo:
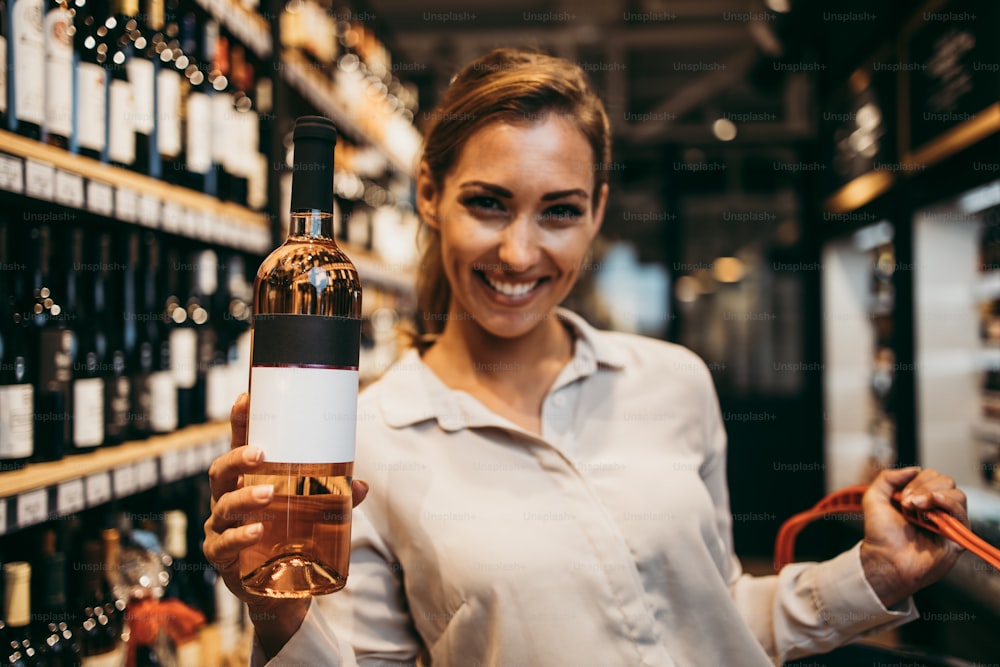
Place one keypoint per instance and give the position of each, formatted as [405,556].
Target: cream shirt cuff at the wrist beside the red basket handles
[847,602]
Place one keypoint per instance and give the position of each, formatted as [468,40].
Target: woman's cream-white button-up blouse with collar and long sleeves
[607,541]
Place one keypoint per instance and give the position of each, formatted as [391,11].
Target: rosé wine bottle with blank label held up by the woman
[303,387]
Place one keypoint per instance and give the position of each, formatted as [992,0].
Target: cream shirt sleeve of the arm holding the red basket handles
[807,608]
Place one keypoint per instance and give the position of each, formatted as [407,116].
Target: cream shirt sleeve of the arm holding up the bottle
[365,623]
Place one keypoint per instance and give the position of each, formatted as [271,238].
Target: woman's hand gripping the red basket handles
[899,558]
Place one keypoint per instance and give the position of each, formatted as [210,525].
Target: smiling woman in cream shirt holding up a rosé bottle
[543,493]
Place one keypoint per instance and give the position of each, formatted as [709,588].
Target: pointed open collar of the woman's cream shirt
[411,393]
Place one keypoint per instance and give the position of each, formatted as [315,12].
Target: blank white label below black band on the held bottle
[303,415]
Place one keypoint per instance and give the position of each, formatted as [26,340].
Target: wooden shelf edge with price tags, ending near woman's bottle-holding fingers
[44,491]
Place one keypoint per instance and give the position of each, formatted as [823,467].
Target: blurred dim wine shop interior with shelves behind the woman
[805,194]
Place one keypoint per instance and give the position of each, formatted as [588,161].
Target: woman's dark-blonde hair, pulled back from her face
[505,85]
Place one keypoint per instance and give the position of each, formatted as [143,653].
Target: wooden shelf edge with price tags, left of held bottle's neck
[48,173]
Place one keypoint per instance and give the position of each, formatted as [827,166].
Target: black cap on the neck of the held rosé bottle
[312,179]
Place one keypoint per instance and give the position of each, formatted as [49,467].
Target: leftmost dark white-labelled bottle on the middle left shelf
[16,391]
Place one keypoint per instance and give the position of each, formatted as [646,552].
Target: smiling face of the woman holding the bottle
[516,217]
